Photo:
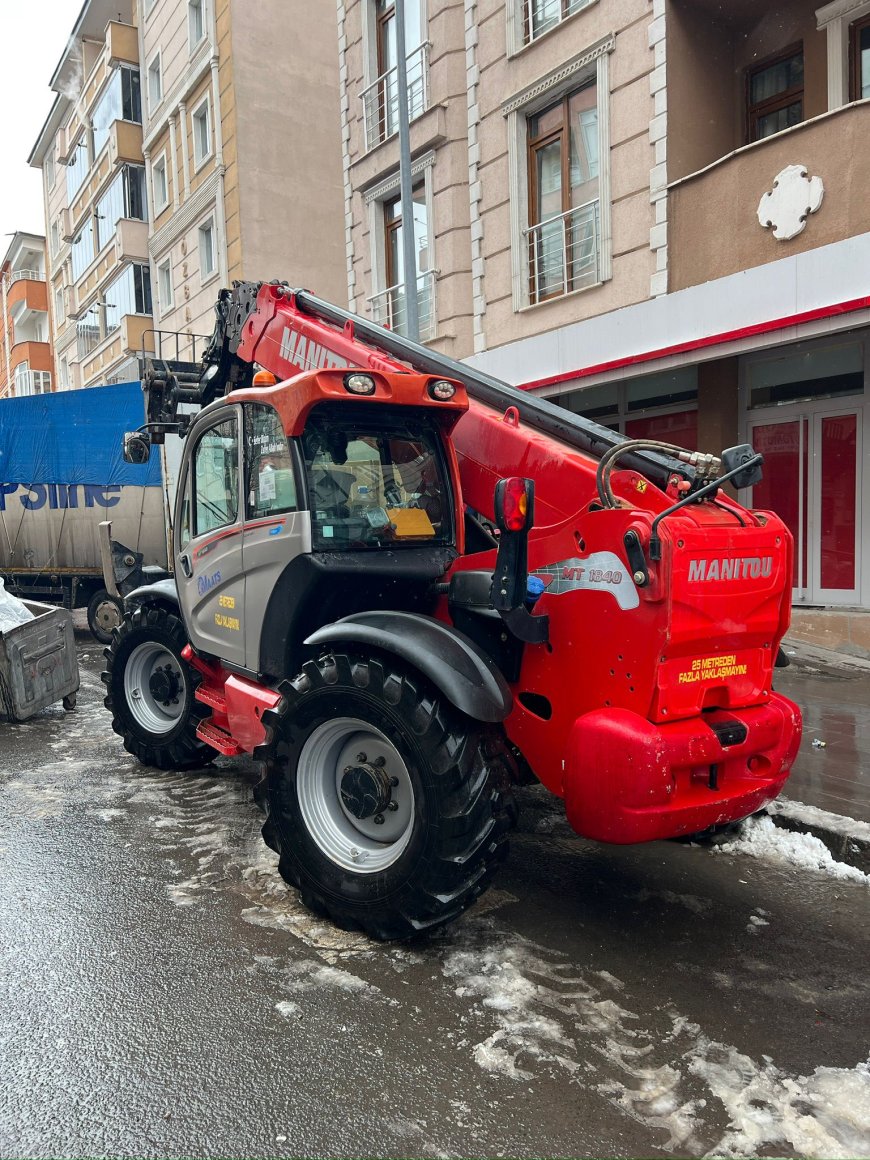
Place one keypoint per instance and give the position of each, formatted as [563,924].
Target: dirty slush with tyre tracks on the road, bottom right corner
[549,1014]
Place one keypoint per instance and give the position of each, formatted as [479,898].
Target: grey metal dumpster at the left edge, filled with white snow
[39,665]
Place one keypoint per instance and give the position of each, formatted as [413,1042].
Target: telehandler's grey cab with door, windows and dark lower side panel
[278,534]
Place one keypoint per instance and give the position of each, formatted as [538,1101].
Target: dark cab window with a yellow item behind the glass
[376,488]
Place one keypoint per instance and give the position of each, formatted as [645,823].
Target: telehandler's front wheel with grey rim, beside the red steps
[150,692]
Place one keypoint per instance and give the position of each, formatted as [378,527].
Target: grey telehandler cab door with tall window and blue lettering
[208,553]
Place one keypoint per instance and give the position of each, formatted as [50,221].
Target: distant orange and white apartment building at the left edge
[26,362]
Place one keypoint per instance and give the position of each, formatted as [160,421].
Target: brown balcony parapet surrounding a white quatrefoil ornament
[714,229]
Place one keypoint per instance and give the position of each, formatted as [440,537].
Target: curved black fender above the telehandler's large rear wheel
[454,664]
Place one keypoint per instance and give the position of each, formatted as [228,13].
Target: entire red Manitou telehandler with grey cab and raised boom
[405,586]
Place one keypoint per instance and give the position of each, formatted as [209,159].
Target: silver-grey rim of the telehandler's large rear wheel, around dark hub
[360,845]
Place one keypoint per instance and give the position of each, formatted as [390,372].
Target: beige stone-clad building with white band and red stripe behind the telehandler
[650,212]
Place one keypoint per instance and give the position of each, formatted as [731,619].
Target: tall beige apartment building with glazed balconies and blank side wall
[191,143]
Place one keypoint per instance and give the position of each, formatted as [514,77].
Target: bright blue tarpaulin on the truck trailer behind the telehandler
[75,438]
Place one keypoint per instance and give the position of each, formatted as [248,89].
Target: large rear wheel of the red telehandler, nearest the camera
[388,807]
